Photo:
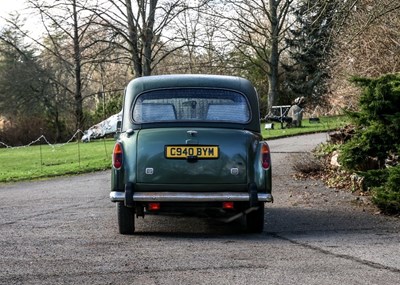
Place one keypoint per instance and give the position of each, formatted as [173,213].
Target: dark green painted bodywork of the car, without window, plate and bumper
[239,144]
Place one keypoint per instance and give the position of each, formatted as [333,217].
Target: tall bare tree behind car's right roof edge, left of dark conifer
[257,30]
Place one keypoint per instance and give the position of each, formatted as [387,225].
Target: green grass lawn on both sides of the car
[42,161]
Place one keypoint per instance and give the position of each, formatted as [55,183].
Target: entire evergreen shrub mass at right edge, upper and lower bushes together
[376,139]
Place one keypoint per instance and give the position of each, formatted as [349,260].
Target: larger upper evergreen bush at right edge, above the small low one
[377,124]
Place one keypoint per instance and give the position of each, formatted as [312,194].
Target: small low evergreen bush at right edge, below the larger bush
[387,197]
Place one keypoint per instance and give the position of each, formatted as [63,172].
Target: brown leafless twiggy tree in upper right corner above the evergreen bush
[367,44]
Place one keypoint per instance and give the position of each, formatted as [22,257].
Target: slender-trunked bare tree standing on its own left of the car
[70,39]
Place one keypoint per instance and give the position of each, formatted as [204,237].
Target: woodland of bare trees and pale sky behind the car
[68,71]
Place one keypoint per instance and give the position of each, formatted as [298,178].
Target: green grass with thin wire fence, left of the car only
[40,158]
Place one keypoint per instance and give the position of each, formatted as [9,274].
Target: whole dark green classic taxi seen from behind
[191,144]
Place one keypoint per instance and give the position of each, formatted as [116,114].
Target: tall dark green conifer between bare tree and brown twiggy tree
[310,42]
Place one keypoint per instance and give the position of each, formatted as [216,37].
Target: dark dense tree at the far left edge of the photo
[26,92]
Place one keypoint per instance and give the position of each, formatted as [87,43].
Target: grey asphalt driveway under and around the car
[64,231]
